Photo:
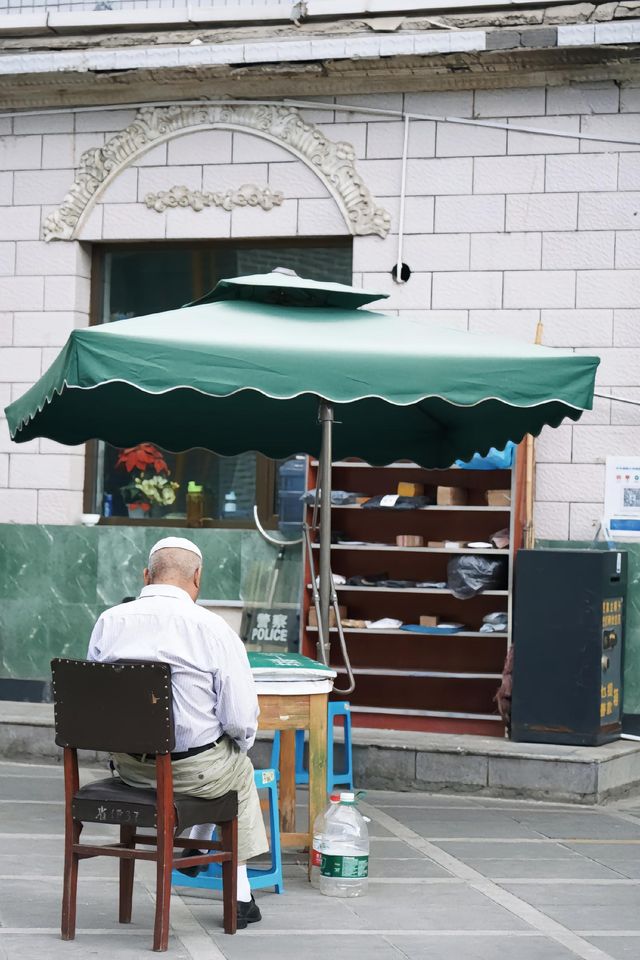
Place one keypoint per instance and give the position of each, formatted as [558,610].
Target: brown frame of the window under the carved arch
[265,468]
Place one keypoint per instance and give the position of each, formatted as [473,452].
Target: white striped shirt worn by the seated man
[213,688]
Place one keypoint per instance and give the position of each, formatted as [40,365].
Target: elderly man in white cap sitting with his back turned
[214,699]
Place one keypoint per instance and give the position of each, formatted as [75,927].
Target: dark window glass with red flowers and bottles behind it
[150,483]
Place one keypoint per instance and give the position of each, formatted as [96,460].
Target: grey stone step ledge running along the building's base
[392,760]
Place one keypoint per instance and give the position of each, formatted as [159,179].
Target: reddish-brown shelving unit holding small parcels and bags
[407,679]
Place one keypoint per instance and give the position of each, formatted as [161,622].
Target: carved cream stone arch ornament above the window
[333,162]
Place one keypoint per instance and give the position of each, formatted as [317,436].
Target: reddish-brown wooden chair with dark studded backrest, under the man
[126,707]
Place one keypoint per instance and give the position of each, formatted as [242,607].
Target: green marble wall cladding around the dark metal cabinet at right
[632,629]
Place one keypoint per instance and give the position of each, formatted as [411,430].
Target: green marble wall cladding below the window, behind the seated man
[55,581]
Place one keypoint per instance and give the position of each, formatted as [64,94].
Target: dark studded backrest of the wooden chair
[122,707]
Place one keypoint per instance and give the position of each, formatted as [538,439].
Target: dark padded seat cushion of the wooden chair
[113,801]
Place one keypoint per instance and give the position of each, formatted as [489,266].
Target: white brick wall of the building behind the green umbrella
[502,229]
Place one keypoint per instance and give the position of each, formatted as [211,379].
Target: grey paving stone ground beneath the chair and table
[452,878]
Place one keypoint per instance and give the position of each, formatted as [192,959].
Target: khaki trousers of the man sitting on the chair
[209,775]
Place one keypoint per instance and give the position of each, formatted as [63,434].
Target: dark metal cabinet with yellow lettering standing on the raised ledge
[568,628]
